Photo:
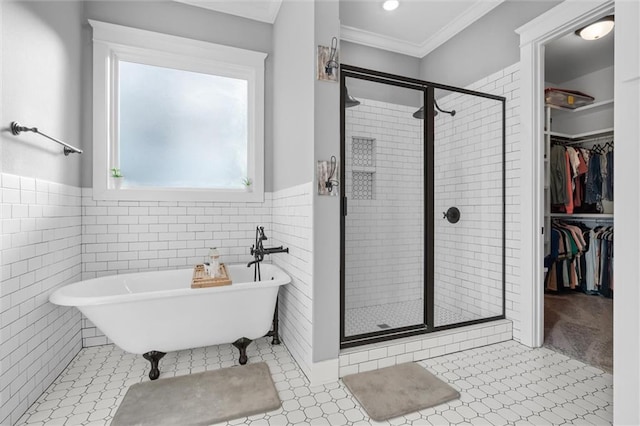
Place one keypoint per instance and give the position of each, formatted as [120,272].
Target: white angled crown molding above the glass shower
[462,21]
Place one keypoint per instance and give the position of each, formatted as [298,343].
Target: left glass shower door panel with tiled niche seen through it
[384,225]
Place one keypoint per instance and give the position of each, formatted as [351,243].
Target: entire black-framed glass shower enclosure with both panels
[411,150]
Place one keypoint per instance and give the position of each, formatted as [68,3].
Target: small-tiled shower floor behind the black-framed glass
[395,315]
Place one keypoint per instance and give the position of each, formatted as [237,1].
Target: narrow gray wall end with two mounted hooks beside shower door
[326,209]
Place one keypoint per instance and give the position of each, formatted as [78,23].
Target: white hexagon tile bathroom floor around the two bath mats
[502,384]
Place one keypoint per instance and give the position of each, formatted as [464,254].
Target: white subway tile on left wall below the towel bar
[41,251]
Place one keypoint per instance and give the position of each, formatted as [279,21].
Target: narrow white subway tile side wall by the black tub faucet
[292,221]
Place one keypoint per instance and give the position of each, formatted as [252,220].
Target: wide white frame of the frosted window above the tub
[112,43]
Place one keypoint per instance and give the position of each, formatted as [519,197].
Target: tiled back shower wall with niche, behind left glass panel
[385,220]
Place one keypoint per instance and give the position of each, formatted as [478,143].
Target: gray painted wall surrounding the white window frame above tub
[185,21]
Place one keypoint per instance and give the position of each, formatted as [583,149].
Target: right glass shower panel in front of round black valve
[468,177]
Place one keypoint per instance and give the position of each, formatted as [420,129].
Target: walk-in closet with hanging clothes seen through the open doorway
[579,202]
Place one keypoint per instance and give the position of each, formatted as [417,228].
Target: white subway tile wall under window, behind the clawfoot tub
[130,236]
